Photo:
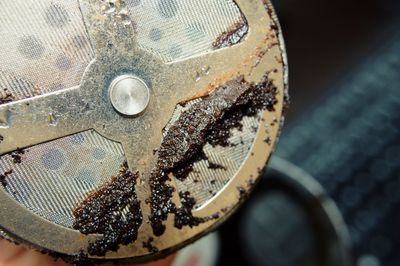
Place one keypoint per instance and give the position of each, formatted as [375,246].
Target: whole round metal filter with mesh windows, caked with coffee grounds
[131,128]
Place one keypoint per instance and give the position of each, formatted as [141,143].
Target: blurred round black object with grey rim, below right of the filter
[289,221]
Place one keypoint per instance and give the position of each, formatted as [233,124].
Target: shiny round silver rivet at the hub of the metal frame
[129,95]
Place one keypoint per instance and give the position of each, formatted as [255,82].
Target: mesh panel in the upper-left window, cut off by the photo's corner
[44,46]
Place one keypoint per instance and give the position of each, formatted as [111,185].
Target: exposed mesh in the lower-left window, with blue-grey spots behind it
[54,177]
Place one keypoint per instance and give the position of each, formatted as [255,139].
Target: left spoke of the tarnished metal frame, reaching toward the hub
[33,121]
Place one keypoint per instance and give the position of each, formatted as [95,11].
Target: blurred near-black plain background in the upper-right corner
[325,40]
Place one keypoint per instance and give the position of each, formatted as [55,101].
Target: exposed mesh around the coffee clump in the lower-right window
[204,182]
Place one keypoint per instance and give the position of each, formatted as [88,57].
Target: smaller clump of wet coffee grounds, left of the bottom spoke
[113,211]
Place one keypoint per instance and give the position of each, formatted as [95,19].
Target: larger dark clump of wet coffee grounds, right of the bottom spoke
[208,121]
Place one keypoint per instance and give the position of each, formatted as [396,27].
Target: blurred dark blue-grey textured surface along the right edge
[351,143]
